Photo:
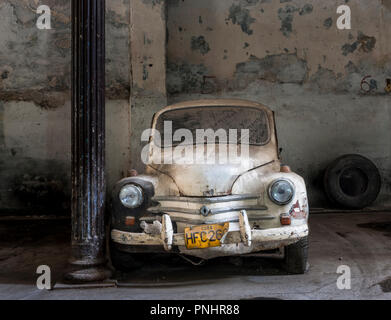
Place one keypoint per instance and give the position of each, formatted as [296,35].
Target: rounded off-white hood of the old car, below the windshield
[213,178]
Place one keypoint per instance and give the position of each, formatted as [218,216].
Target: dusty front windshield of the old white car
[226,124]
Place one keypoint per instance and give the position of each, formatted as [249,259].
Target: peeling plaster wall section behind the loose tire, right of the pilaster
[290,55]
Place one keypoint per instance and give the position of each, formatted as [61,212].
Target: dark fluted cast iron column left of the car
[88,140]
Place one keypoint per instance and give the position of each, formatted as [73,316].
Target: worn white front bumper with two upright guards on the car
[239,233]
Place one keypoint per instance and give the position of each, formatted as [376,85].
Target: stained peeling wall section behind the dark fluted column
[35,110]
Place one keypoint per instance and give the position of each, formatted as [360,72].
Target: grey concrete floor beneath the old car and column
[361,241]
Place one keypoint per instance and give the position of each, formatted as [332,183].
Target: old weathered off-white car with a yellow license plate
[194,203]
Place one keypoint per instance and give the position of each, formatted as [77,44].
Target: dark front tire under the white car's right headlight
[296,256]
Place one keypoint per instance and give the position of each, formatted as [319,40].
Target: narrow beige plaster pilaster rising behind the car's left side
[148,64]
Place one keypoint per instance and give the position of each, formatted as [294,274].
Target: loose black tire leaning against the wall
[352,181]
